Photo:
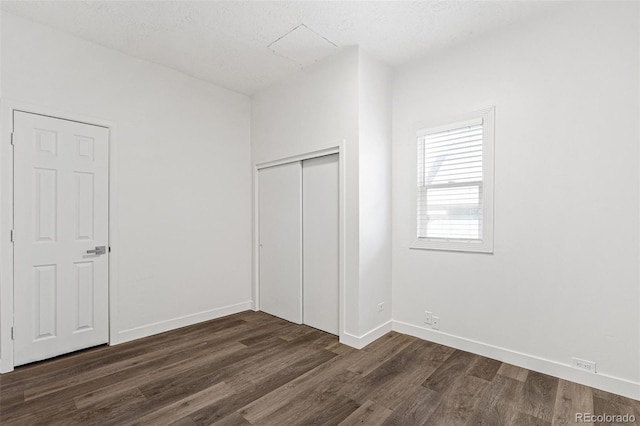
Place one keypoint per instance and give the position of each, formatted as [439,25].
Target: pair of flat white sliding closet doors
[299,242]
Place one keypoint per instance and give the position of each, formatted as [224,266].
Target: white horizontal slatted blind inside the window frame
[449,192]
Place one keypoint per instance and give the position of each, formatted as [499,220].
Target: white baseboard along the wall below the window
[553,368]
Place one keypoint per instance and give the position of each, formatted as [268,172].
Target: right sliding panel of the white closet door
[321,246]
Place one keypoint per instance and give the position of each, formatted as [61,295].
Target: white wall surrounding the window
[563,281]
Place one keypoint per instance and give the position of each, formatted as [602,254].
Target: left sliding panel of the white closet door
[280,239]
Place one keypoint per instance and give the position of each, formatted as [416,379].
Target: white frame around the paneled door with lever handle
[7,109]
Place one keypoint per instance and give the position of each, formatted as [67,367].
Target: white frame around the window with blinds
[485,243]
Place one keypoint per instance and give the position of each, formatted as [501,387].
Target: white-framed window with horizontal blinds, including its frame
[454,194]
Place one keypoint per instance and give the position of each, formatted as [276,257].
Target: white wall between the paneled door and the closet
[183,172]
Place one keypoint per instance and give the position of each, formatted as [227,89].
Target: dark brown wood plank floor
[252,368]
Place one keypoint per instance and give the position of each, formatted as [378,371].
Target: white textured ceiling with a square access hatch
[248,45]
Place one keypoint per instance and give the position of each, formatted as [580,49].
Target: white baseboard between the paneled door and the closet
[174,323]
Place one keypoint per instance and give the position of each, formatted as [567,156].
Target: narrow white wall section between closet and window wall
[374,122]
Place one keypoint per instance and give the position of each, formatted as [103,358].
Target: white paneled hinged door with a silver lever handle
[60,231]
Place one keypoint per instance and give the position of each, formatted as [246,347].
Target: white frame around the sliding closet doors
[329,149]
